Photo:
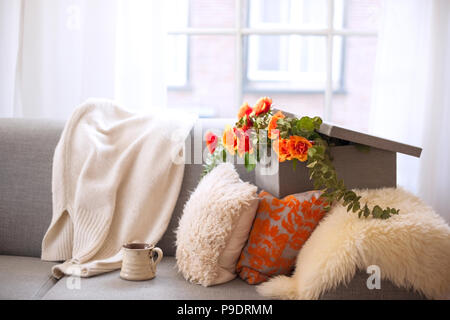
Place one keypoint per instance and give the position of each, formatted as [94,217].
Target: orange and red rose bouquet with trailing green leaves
[292,139]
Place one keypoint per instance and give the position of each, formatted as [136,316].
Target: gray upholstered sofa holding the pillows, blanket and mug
[26,150]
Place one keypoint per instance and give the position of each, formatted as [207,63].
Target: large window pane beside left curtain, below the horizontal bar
[210,87]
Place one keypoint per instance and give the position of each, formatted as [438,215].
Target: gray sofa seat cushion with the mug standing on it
[167,284]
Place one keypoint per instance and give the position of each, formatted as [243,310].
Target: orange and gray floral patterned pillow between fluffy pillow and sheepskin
[280,229]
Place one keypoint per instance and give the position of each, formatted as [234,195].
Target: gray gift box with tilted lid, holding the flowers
[372,167]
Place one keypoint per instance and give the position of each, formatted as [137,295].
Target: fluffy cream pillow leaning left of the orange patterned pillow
[215,226]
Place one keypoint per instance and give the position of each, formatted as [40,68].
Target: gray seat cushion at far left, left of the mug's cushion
[24,277]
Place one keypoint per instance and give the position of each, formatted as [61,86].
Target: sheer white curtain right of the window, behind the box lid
[412,94]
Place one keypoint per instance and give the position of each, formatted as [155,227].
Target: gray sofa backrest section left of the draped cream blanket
[26,152]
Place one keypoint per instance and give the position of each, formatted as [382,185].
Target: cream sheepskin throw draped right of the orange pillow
[412,249]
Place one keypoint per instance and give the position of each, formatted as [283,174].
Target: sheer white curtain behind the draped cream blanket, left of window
[56,53]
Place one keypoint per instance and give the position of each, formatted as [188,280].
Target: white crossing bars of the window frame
[239,32]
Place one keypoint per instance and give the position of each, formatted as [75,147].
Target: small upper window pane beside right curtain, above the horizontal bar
[359,14]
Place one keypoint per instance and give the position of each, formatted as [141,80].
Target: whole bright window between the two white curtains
[313,57]
